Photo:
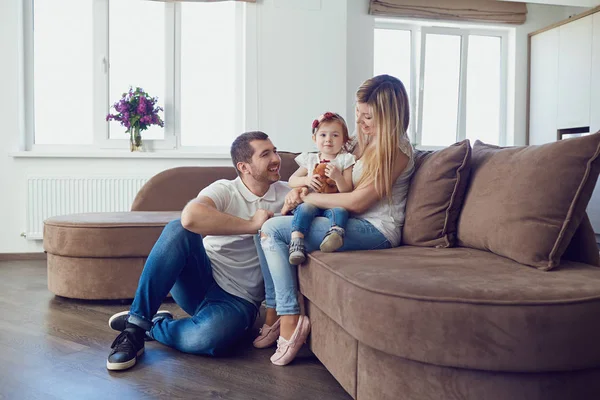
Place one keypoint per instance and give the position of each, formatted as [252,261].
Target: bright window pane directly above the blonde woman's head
[392,54]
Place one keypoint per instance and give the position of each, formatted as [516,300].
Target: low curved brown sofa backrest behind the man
[172,189]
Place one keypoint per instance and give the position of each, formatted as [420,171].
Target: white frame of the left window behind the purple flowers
[245,56]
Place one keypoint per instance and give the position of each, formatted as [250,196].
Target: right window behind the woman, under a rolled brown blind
[455,78]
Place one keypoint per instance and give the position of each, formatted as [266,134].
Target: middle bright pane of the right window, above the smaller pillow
[440,92]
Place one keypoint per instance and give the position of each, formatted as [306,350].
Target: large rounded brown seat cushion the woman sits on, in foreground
[460,307]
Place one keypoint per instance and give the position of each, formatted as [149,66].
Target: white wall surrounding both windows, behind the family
[312,56]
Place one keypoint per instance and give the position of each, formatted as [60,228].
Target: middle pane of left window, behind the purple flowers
[137,55]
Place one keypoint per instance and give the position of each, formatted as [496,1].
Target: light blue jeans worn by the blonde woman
[281,280]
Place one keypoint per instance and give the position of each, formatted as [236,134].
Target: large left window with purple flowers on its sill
[81,55]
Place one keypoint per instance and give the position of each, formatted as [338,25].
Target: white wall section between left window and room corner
[301,67]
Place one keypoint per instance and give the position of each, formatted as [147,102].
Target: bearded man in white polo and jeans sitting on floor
[208,261]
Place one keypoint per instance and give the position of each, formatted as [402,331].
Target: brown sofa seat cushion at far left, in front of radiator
[108,235]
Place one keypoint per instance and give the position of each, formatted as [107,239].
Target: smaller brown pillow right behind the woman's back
[435,196]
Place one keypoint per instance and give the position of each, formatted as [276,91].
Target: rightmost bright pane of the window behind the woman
[483,89]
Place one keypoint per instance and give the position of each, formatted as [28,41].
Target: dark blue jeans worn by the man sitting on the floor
[178,263]
